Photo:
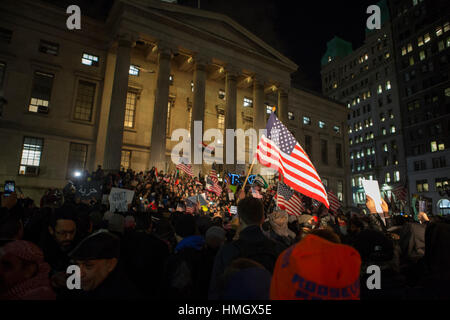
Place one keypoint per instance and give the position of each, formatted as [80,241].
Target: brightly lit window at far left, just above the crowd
[31,156]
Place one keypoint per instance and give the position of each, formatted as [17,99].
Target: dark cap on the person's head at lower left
[99,245]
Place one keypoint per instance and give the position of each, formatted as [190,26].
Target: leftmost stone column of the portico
[114,133]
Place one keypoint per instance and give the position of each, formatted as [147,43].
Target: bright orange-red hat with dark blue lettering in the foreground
[316,268]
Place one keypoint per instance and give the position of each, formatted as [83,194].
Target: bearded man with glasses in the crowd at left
[58,240]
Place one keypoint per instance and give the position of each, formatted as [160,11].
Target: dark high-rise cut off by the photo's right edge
[421,31]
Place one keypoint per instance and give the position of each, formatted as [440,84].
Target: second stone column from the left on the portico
[158,140]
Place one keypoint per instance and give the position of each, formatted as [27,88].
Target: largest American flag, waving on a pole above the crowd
[280,150]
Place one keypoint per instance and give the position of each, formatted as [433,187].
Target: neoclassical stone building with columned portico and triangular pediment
[113,92]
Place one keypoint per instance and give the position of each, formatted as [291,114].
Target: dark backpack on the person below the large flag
[265,252]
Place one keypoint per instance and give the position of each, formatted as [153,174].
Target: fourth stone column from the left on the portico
[230,117]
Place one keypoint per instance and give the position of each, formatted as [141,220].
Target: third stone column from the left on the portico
[198,112]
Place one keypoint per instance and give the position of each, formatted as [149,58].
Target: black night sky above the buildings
[298,29]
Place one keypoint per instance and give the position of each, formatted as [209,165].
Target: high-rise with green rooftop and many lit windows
[365,80]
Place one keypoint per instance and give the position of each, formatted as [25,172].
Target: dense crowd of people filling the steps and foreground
[168,247]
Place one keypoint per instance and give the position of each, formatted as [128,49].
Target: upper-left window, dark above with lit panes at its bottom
[41,92]
